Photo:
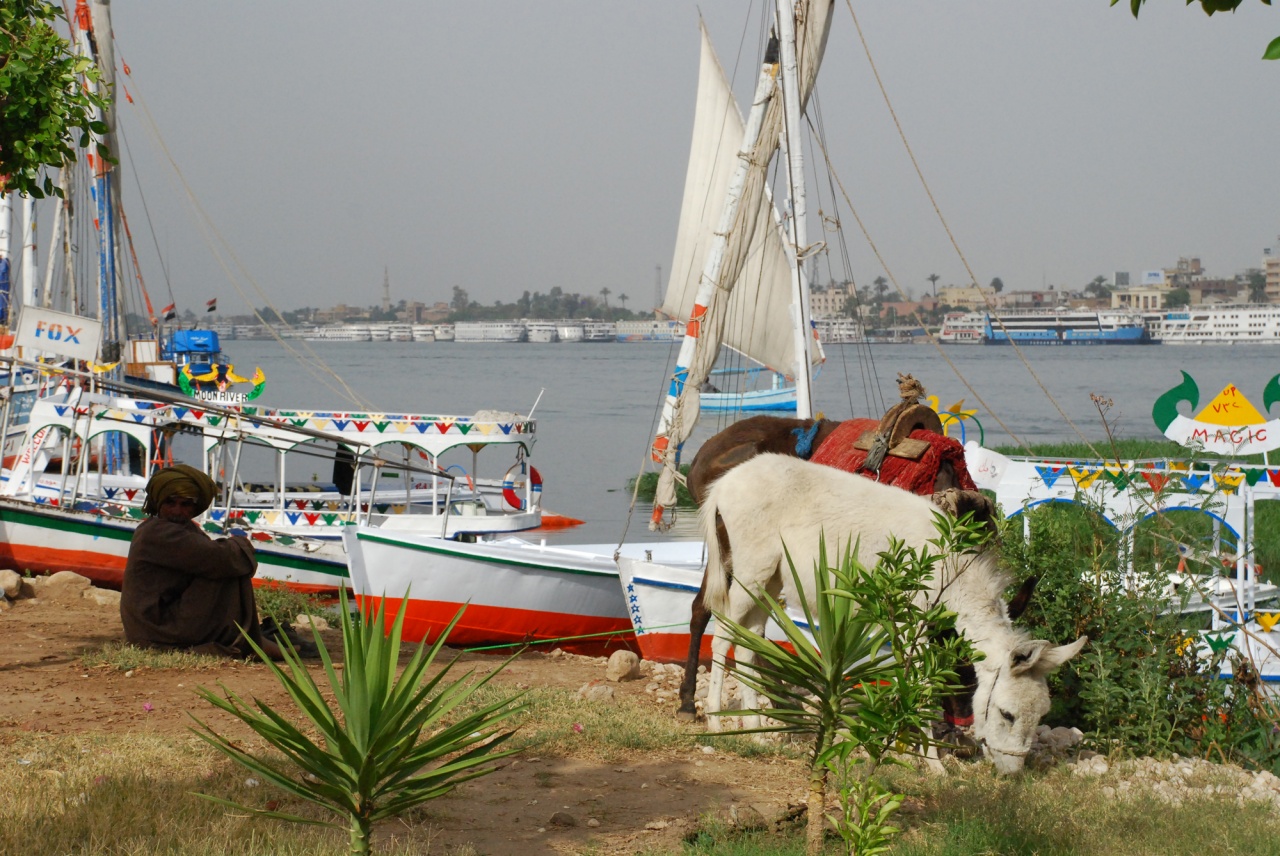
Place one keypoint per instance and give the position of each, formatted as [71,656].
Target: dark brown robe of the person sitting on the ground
[186,590]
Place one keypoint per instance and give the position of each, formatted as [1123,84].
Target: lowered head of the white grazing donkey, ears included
[1013,698]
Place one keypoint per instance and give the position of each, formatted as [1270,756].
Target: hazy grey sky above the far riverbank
[510,145]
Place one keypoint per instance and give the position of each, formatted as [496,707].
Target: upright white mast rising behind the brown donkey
[799,208]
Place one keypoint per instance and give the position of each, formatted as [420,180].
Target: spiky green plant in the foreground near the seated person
[387,743]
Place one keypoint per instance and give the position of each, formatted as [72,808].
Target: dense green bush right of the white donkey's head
[1140,688]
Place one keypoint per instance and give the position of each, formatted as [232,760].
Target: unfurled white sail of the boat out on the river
[758,313]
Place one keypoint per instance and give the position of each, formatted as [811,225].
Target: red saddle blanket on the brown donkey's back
[918,477]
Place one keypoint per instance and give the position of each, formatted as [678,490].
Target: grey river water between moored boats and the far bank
[598,402]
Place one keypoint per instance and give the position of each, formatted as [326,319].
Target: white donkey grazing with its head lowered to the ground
[776,500]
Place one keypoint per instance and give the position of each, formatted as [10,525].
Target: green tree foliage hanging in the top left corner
[44,107]
